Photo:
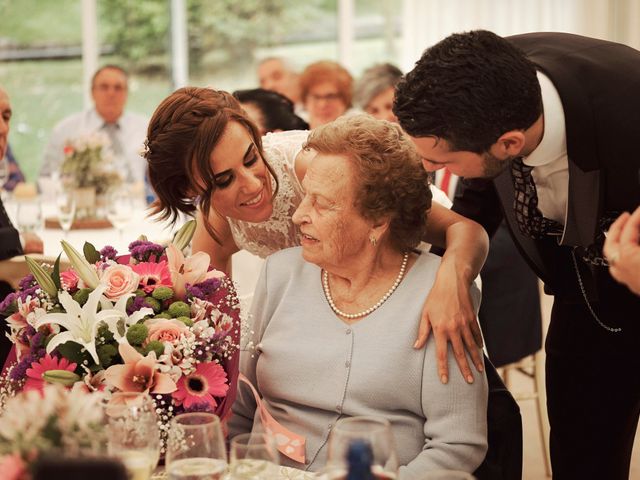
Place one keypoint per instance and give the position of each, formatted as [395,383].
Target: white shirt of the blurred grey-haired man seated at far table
[131,131]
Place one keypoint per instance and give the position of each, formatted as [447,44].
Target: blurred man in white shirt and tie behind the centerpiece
[126,131]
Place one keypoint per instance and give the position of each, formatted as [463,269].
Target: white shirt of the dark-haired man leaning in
[549,159]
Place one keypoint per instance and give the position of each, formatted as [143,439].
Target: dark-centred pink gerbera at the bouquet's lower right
[200,387]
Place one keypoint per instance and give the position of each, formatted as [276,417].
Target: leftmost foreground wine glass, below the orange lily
[133,433]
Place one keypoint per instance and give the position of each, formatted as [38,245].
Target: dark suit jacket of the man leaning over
[599,86]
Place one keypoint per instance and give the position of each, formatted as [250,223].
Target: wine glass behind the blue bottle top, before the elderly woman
[374,431]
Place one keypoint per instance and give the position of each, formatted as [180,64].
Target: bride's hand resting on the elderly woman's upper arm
[448,311]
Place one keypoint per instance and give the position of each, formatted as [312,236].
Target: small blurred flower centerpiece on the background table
[88,170]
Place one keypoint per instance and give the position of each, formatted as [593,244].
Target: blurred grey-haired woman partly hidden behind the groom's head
[375,90]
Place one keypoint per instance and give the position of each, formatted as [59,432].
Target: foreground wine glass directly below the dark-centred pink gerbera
[195,447]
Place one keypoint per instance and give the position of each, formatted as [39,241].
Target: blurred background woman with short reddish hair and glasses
[326,91]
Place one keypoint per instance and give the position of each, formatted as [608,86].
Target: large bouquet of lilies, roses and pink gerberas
[152,321]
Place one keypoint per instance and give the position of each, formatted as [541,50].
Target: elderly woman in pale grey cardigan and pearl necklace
[331,317]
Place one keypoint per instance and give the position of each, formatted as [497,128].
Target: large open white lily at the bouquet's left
[81,323]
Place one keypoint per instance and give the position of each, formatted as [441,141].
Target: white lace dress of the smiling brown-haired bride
[278,232]
